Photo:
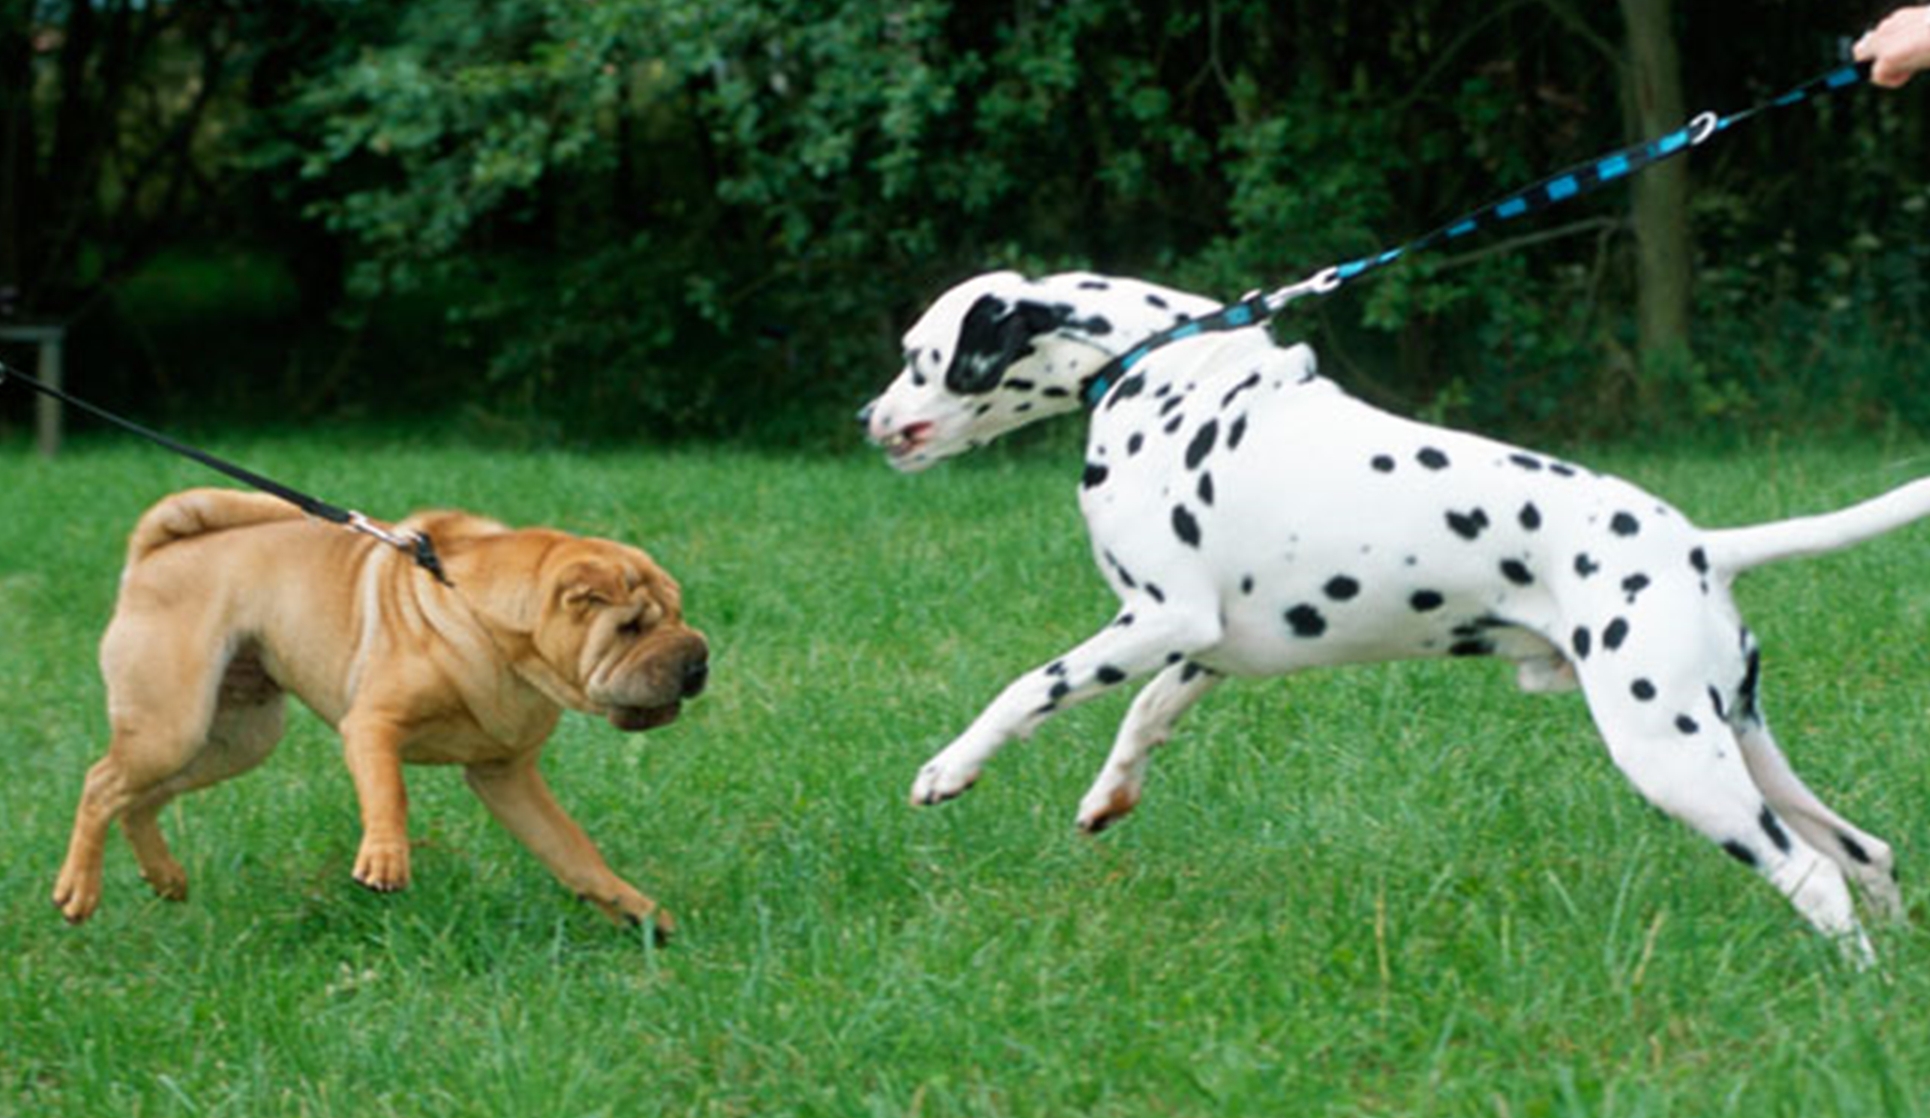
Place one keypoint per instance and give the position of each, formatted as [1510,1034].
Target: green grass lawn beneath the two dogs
[1383,891]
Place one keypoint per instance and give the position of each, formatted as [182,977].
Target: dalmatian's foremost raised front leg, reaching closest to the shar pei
[1134,646]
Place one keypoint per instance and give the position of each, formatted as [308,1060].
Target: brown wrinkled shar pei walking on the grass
[231,601]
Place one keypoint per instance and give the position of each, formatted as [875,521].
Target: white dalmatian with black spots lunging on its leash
[1257,520]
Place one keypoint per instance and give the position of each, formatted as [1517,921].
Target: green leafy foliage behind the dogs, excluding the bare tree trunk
[711,217]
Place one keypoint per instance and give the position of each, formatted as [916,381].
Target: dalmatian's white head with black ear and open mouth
[993,354]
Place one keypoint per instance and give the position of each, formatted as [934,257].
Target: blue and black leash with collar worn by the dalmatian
[1558,188]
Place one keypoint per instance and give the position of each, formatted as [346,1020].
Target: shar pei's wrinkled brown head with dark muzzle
[613,627]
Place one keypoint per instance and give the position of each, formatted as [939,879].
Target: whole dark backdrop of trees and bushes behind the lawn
[592,221]
